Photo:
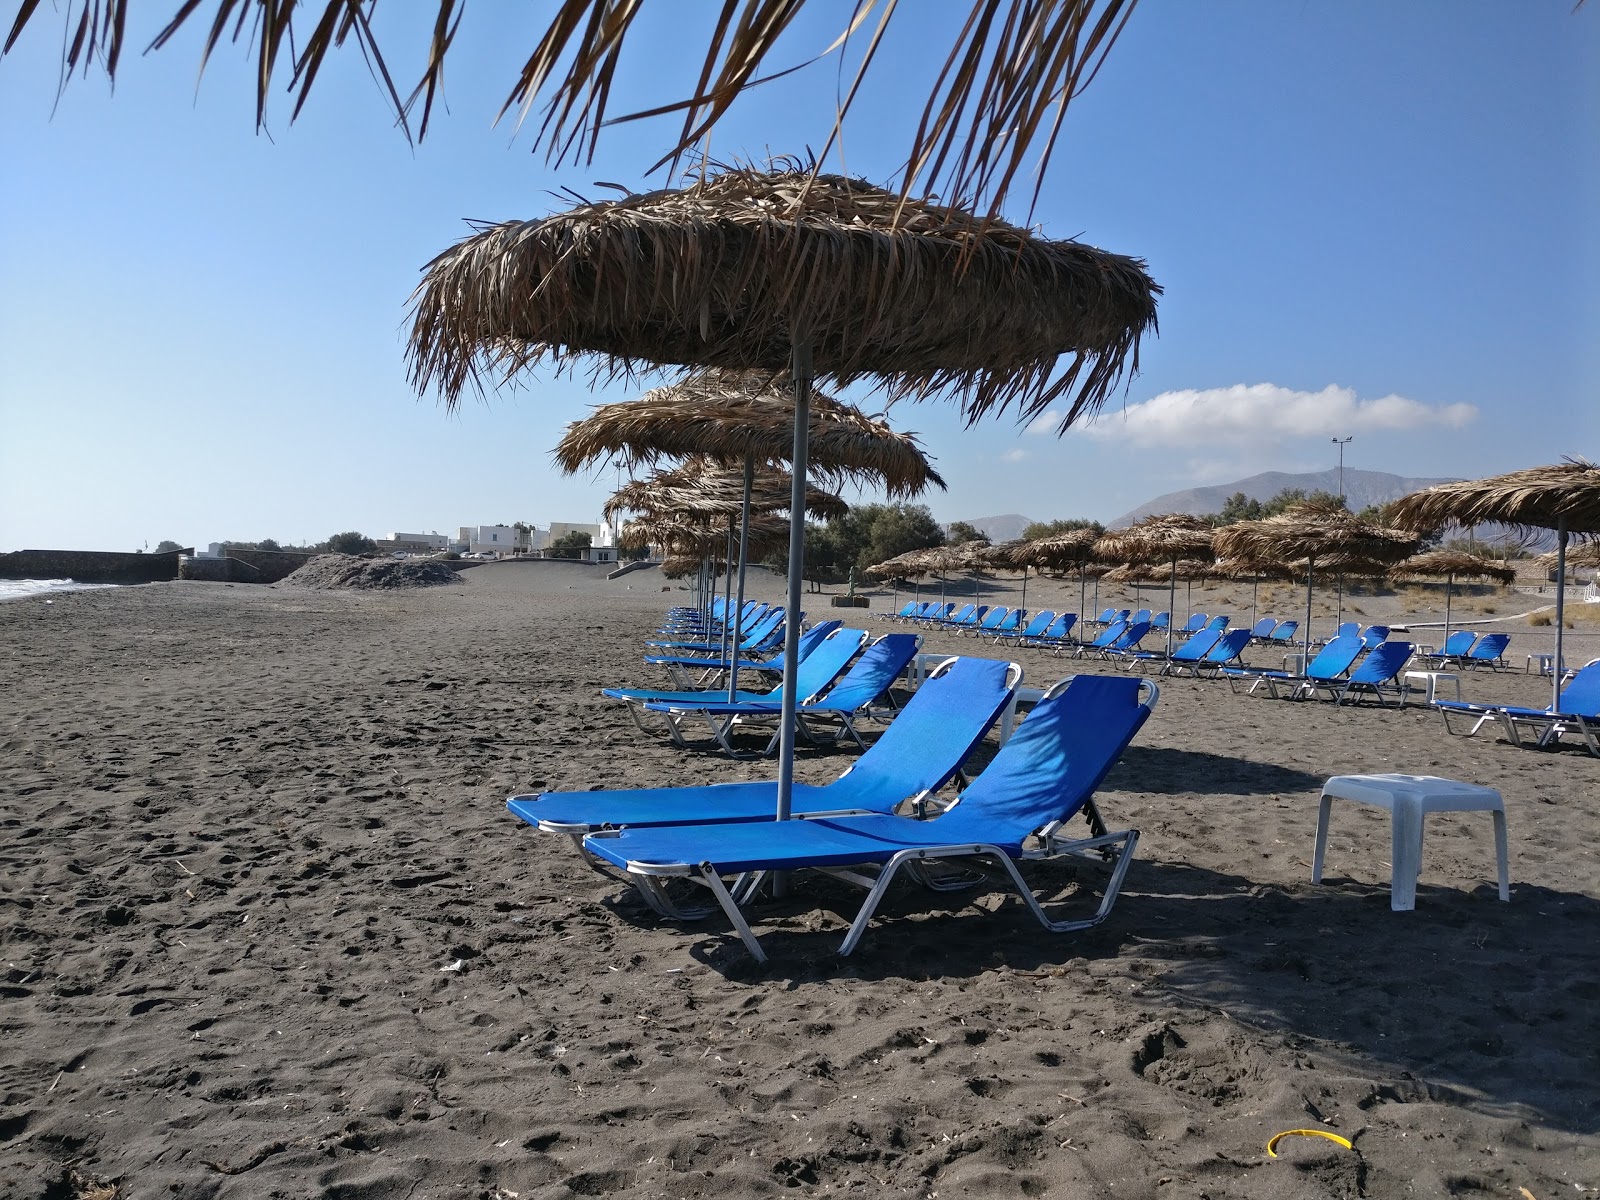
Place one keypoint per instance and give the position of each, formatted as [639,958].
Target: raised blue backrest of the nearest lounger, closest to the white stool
[1054,762]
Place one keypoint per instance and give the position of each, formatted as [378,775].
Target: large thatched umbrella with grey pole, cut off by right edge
[1564,497]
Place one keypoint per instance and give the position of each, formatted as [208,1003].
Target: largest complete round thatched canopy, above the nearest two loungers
[743,266]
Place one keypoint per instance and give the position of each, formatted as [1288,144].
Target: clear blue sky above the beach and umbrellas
[1370,220]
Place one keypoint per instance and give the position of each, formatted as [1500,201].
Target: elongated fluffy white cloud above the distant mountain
[1266,414]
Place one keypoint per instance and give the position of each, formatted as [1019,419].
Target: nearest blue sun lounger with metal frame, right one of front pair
[1017,810]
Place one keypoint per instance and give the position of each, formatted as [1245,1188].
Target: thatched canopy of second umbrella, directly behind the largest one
[734,415]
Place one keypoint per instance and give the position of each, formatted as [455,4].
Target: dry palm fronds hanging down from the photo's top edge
[1007,78]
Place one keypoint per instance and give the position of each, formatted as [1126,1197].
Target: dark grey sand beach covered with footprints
[270,932]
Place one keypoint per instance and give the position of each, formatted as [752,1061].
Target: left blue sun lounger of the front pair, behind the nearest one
[919,753]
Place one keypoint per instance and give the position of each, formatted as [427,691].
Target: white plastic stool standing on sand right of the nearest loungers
[1410,798]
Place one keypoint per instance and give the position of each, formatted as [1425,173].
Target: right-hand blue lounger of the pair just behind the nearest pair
[870,678]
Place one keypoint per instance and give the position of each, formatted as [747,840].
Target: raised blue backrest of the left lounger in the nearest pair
[943,721]
